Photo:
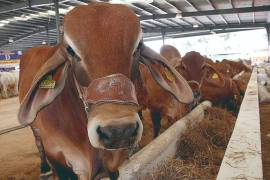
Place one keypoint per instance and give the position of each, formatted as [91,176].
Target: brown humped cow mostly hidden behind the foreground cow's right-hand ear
[161,104]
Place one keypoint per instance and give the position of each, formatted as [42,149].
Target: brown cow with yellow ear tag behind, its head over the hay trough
[211,84]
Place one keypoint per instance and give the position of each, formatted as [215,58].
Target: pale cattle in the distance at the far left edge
[9,84]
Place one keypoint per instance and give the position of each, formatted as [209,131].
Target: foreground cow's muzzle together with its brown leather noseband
[113,121]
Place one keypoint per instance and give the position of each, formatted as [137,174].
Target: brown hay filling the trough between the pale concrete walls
[200,150]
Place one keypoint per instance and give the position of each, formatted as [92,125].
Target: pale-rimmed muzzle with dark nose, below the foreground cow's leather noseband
[114,130]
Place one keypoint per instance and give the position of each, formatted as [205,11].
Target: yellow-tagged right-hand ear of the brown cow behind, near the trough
[214,76]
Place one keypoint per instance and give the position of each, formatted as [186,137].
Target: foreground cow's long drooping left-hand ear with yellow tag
[48,82]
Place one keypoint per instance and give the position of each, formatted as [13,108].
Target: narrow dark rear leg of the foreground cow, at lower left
[45,169]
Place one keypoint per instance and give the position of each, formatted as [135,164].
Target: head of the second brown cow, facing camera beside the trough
[197,72]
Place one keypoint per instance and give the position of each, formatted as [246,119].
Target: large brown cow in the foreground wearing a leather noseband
[78,96]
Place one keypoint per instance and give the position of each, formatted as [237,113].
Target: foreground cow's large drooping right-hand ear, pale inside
[165,75]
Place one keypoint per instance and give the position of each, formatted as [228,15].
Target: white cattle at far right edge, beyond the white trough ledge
[264,82]
